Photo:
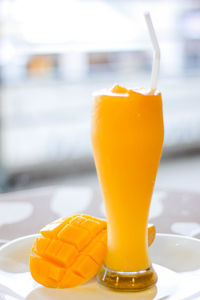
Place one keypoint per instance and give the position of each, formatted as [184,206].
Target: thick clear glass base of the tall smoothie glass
[127,281]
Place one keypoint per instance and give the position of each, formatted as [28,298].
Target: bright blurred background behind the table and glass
[55,54]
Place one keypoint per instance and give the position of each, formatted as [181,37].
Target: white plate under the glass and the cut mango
[175,258]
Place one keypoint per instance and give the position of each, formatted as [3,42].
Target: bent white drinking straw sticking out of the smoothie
[156,48]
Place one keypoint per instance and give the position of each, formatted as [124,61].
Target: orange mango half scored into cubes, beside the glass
[70,251]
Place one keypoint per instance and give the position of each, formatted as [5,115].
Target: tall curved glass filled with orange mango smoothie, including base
[127,137]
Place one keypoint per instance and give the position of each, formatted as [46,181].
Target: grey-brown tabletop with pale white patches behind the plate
[26,212]
